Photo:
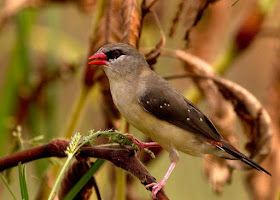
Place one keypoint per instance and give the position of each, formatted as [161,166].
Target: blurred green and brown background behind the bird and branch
[45,45]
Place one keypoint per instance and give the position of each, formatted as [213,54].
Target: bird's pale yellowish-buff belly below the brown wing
[167,135]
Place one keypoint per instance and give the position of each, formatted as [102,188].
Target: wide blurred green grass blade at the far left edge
[17,74]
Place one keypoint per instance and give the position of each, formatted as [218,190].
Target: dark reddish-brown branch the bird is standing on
[120,155]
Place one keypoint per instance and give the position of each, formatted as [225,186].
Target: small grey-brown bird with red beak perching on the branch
[153,106]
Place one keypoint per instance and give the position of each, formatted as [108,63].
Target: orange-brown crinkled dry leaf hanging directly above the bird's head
[131,20]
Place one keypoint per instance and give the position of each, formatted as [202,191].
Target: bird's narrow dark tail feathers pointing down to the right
[235,153]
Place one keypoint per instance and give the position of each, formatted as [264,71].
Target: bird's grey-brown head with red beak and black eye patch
[119,60]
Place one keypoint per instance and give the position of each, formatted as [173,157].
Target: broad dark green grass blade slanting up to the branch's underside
[85,178]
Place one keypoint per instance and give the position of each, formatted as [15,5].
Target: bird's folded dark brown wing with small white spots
[166,104]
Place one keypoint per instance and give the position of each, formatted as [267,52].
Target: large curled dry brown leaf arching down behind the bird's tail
[255,119]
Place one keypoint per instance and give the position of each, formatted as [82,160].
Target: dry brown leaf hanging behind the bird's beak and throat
[107,30]
